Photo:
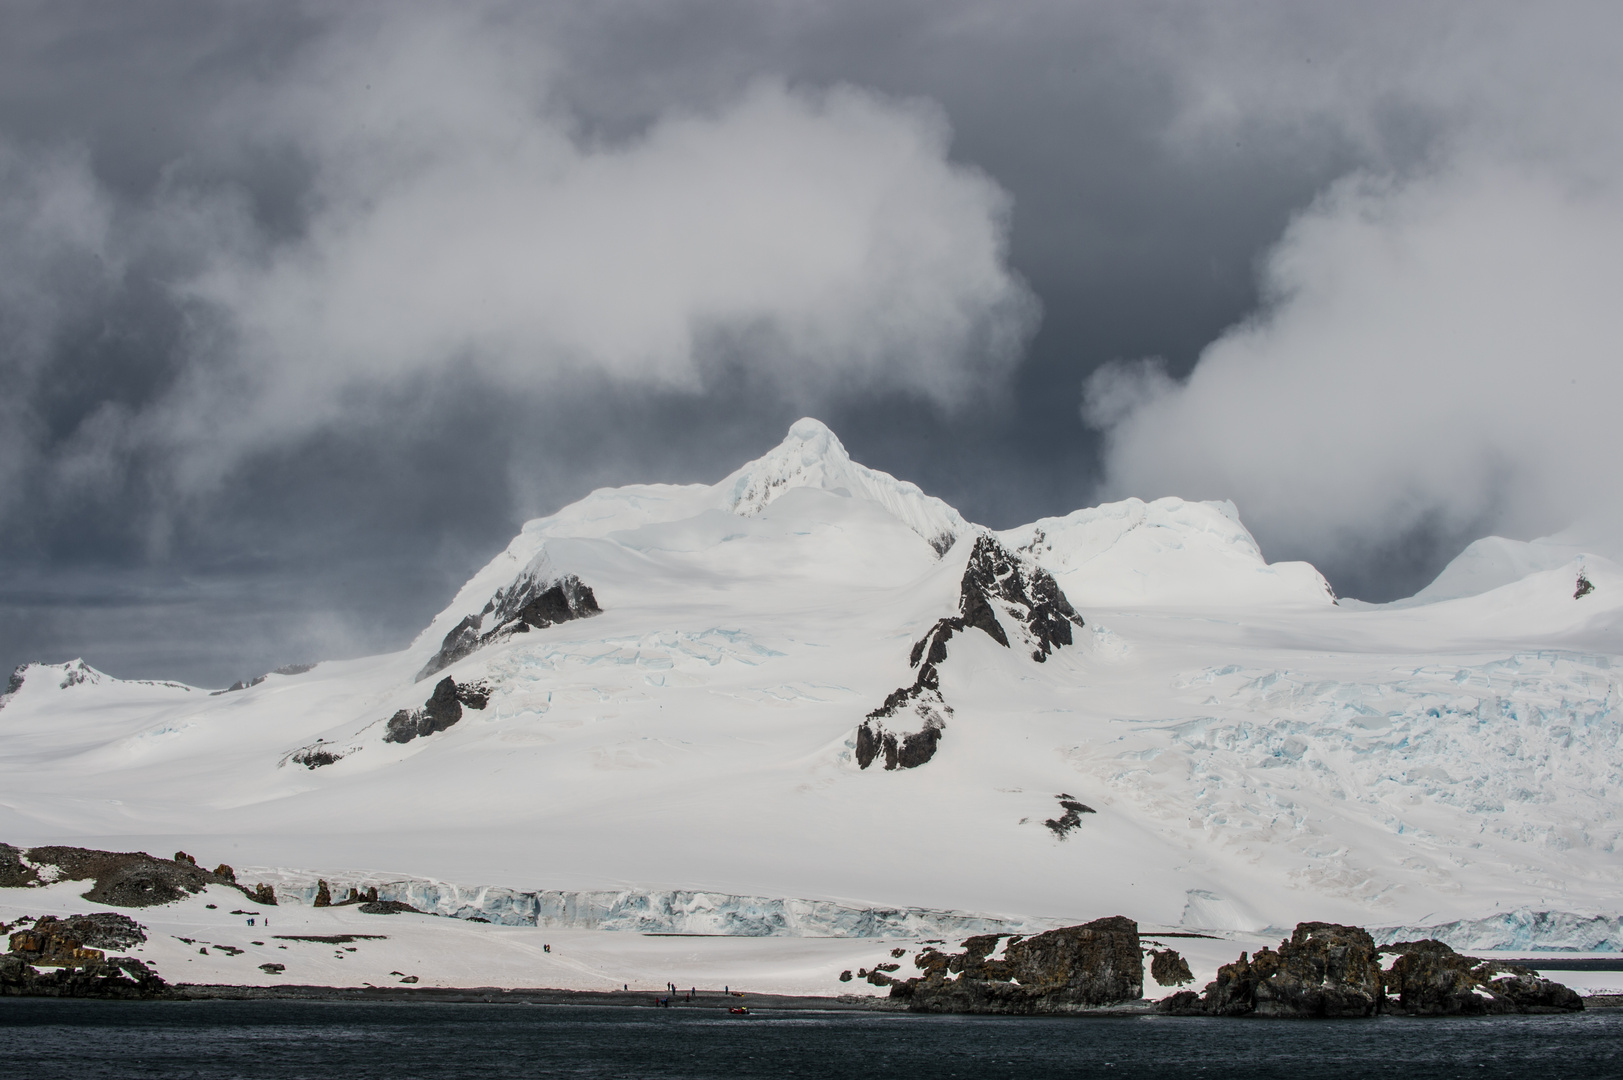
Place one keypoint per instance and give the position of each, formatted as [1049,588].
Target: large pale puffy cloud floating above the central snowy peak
[458,222]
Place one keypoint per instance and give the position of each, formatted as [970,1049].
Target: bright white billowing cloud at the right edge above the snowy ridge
[1436,352]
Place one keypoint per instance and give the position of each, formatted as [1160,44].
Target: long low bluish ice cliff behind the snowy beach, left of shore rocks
[660,912]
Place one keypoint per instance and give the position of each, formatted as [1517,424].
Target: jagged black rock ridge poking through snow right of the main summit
[996,581]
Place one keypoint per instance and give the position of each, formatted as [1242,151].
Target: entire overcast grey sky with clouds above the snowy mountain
[306,308]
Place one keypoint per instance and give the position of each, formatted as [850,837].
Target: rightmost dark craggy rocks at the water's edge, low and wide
[1327,970]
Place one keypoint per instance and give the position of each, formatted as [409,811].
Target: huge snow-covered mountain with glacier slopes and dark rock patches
[812,683]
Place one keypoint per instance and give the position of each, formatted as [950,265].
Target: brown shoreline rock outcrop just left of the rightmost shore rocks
[1067,970]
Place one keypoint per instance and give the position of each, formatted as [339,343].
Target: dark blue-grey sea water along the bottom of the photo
[402,1042]
